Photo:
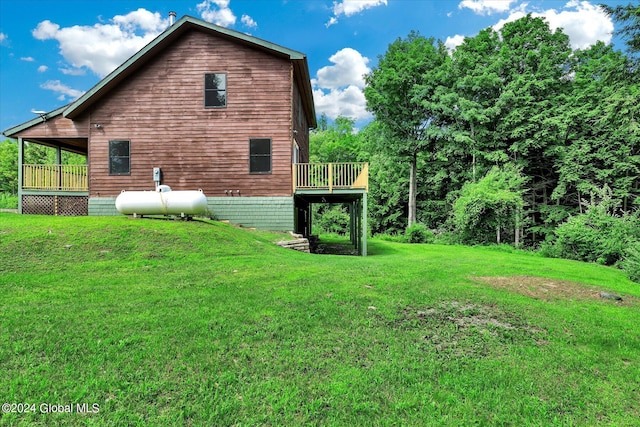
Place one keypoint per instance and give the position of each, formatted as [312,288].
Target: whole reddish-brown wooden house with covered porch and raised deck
[212,109]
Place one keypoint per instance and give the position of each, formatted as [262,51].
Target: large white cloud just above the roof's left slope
[103,47]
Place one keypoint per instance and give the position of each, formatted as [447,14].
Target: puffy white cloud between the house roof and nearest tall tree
[337,90]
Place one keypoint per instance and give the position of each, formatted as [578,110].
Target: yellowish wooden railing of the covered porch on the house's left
[55,177]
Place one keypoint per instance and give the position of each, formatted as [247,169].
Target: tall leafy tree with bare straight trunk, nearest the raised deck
[399,93]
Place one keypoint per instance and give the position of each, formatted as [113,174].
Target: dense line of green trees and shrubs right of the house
[503,139]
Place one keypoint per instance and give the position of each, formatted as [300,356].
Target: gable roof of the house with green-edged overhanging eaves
[184,24]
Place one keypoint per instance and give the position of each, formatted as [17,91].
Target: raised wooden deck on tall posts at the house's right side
[346,183]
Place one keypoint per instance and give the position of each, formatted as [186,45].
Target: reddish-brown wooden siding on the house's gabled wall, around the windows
[160,109]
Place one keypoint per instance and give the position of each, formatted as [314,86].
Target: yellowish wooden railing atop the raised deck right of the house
[330,176]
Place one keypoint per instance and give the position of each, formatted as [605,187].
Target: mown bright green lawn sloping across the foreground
[200,323]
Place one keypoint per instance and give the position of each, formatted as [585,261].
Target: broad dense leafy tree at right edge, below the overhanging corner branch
[602,136]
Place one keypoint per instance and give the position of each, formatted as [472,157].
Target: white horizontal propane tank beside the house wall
[163,201]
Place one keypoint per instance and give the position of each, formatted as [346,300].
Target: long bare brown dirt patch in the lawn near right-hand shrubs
[552,289]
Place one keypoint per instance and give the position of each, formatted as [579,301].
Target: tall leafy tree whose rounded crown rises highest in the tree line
[536,69]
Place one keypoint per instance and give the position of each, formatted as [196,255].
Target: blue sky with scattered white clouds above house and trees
[53,51]
